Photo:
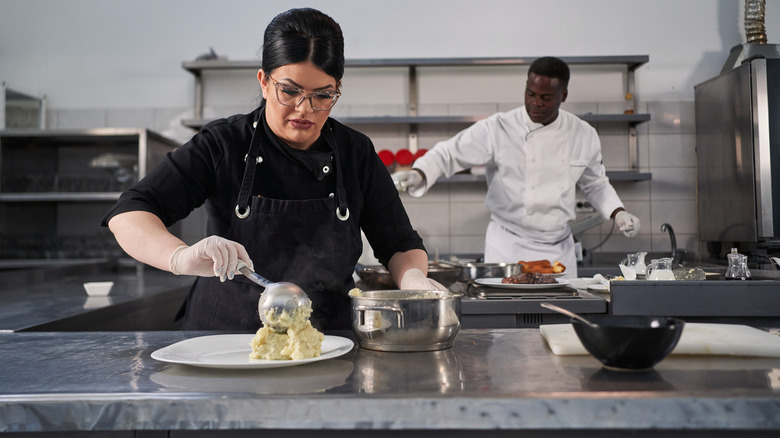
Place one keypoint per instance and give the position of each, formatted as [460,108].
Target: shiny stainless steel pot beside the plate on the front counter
[406,320]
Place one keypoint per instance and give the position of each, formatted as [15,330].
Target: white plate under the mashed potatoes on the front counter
[232,351]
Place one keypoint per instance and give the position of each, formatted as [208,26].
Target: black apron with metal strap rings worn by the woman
[312,243]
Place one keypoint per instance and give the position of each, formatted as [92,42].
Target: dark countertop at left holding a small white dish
[54,298]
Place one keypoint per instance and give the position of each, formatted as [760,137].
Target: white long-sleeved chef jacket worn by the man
[531,169]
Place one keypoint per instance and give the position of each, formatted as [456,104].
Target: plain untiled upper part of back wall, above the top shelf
[125,54]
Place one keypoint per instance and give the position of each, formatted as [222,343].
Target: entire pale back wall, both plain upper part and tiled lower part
[118,63]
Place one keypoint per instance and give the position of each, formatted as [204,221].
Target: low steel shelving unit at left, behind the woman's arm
[57,185]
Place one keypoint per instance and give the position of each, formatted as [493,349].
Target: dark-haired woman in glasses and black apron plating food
[286,190]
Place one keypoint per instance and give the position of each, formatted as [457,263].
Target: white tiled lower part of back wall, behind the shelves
[452,217]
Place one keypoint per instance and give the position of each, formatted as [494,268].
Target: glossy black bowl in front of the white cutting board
[632,342]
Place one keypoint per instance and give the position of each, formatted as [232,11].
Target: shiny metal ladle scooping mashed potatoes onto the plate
[280,297]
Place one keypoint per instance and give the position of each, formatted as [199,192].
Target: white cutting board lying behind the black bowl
[697,338]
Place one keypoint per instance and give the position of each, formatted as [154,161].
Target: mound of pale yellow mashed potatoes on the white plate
[299,341]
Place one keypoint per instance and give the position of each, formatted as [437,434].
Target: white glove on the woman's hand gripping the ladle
[213,256]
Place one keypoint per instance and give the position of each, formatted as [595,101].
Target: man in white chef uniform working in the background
[535,156]
